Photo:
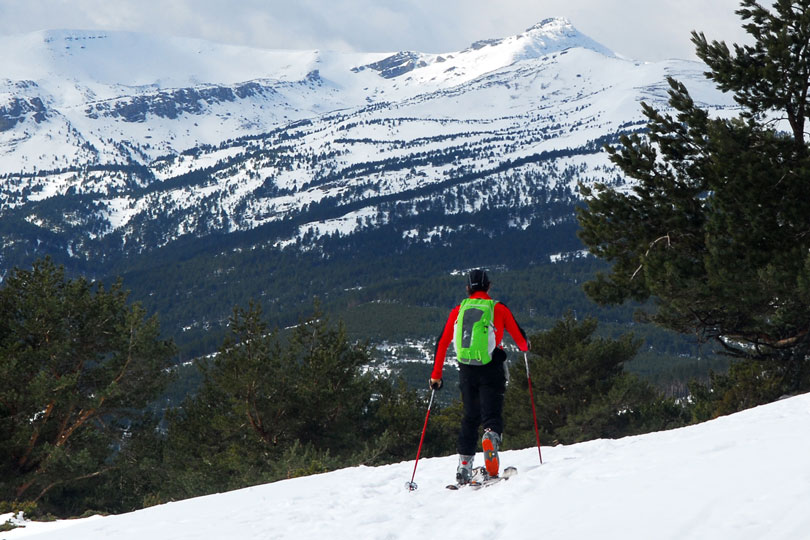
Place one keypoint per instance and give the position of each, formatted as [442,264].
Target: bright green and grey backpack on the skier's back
[474,334]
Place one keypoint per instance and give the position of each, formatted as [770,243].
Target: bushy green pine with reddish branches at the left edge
[79,366]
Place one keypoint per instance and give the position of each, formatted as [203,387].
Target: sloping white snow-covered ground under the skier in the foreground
[745,476]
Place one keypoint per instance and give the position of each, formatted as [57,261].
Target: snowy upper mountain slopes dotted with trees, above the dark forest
[126,120]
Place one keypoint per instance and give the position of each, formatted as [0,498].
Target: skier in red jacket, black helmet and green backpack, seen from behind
[476,327]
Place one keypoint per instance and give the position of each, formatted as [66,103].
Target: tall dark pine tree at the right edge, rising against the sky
[715,230]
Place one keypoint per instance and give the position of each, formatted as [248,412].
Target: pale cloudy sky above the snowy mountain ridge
[641,29]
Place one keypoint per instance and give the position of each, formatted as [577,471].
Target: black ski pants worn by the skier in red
[482,391]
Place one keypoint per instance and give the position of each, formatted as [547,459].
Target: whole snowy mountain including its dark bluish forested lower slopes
[130,154]
